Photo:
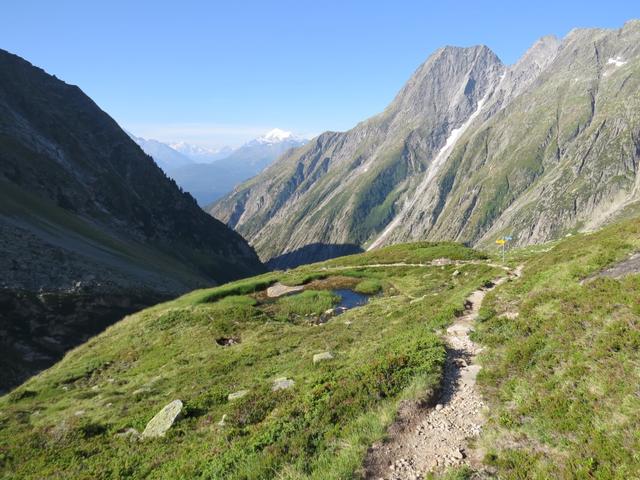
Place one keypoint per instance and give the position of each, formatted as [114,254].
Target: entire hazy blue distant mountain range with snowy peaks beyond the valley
[209,174]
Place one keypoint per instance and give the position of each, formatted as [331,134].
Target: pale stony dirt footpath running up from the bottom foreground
[430,439]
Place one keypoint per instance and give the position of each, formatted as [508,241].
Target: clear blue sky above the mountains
[215,72]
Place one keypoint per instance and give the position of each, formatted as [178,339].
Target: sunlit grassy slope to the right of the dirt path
[562,378]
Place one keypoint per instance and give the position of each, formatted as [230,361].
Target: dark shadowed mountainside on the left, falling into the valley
[90,227]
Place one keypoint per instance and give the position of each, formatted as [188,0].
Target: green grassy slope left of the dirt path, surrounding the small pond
[63,422]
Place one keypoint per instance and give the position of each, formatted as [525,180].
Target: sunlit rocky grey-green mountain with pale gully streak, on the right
[469,150]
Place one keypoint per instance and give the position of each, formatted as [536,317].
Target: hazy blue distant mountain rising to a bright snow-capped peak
[209,181]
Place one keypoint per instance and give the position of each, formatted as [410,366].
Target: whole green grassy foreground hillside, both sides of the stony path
[348,379]
